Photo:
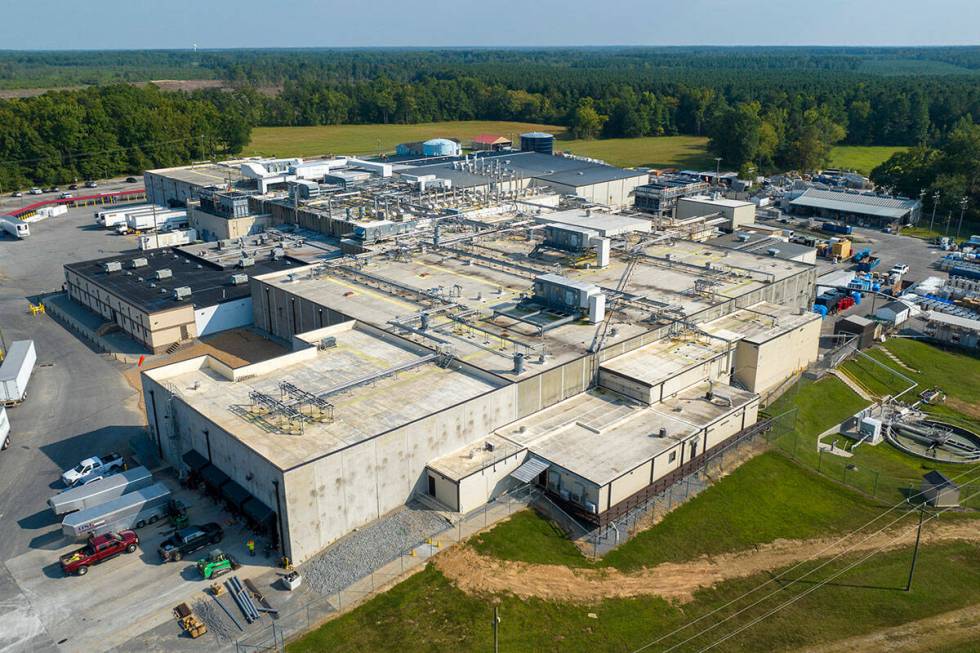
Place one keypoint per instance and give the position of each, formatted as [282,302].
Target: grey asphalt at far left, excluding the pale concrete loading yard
[78,402]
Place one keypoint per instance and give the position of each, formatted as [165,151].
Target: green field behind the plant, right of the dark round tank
[652,151]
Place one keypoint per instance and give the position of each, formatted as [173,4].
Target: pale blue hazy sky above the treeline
[141,24]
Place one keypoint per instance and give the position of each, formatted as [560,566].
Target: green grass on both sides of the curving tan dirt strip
[766,498]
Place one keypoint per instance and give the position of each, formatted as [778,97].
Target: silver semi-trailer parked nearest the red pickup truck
[132,510]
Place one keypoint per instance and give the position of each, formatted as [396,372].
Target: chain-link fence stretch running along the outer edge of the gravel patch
[287,626]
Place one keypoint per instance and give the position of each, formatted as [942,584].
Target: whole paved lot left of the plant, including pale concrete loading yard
[79,404]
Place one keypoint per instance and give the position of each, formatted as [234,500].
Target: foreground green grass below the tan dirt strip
[427,613]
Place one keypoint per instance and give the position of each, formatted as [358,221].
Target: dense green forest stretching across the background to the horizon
[763,108]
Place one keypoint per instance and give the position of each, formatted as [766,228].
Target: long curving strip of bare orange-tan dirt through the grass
[477,574]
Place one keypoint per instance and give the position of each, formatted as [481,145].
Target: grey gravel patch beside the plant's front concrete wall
[373,546]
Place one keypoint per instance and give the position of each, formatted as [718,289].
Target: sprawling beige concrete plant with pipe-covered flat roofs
[482,330]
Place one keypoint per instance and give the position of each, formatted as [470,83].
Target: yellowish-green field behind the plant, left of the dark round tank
[376,139]
